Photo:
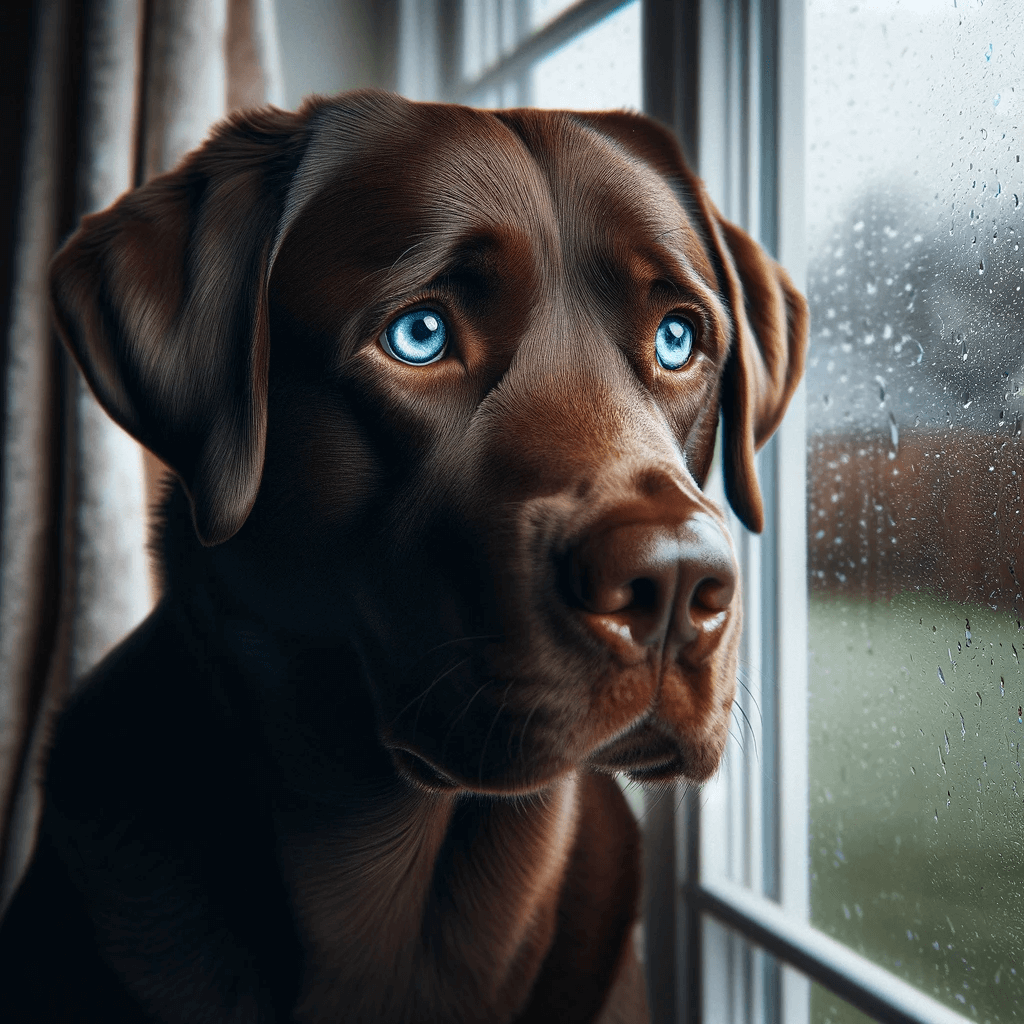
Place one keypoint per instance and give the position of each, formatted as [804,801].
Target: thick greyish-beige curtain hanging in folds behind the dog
[101,96]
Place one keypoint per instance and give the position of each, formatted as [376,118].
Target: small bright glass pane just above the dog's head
[599,70]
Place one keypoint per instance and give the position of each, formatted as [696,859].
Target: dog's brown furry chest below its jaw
[401,920]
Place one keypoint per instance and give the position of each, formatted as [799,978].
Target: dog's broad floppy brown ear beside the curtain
[163,302]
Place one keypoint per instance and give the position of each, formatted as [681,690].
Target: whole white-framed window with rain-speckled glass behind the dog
[859,857]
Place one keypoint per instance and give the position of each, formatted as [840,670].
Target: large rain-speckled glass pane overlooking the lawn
[915,505]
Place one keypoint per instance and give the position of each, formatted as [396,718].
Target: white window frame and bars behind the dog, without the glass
[729,77]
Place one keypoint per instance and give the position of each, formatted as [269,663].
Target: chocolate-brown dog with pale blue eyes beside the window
[441,390]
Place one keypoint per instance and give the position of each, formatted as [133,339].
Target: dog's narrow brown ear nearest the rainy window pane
[766,359]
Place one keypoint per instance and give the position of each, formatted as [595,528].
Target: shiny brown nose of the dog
[657,584]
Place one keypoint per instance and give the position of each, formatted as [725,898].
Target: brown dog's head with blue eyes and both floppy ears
[442,387]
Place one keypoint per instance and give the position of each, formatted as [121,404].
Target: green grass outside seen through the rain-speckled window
[917,797]
